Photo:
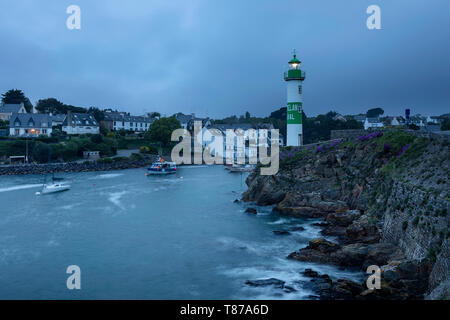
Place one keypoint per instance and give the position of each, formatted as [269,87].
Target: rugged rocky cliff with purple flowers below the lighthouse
[384,196]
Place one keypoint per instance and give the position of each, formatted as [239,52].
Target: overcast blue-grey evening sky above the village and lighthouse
[218,58]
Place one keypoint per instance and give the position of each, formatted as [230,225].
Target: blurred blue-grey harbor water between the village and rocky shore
[135,237]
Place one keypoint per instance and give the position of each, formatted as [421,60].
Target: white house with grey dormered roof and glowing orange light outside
[30,125]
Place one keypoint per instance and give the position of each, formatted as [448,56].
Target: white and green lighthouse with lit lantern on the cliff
[294,78]
